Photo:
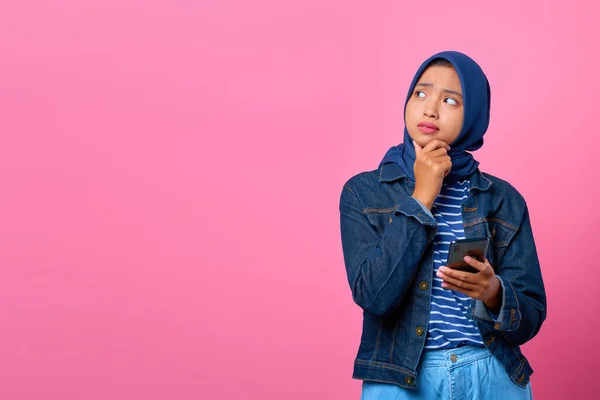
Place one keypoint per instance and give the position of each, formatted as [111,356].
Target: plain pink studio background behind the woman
[170,177]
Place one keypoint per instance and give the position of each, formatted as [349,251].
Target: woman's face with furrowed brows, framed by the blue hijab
[435,108]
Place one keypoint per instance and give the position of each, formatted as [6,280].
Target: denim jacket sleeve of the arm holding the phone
[523,308]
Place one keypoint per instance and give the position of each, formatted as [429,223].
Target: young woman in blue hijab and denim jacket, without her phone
[431,332]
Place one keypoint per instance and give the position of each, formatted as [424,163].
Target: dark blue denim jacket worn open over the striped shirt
[387,241]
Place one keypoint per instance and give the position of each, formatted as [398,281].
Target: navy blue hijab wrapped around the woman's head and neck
[476,98]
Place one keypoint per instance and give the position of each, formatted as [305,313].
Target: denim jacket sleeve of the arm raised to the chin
[381,266]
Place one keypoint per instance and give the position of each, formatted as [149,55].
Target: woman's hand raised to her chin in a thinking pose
[432,164]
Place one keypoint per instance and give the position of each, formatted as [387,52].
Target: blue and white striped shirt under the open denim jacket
[449,325]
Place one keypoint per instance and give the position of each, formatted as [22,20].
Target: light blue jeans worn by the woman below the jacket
[463,373]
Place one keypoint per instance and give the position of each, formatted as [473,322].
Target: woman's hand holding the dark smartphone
[484,285]
